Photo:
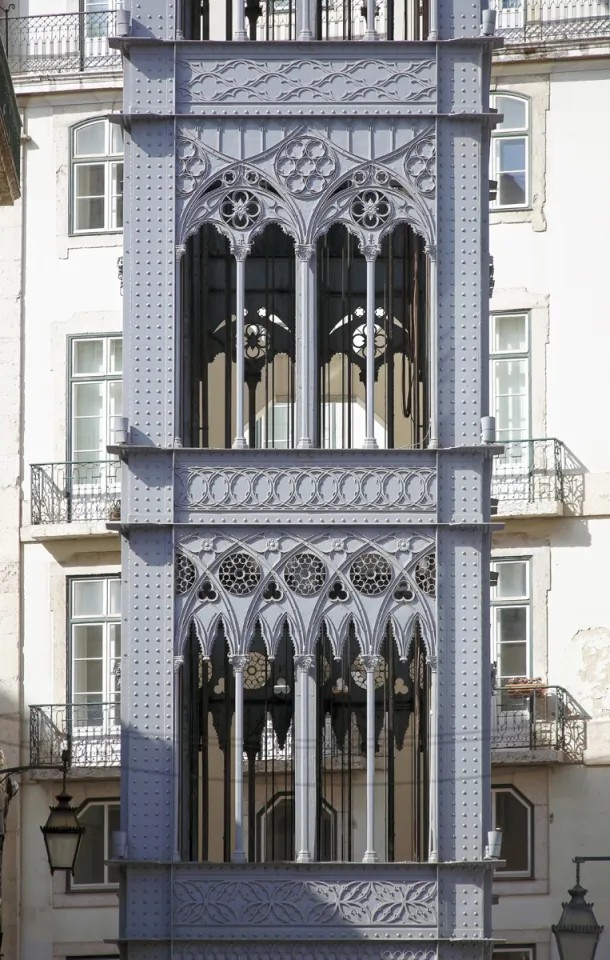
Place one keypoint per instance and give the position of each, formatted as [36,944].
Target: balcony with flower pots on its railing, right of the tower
[537,724]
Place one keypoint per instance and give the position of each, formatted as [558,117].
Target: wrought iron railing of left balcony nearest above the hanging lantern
[90,732]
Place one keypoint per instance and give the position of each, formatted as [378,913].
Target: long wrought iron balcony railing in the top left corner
[61,43]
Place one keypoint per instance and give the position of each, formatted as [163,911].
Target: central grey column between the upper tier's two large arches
[305,343]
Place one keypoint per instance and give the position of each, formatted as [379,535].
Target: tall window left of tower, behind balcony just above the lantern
[95,641]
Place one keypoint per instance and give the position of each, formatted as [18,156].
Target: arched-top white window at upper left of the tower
[97,177]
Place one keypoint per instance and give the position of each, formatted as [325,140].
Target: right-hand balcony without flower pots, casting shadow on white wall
[536,478]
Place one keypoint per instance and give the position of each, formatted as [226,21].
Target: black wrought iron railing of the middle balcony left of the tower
[73,492]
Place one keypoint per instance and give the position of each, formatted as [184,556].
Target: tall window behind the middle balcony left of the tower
[96,395]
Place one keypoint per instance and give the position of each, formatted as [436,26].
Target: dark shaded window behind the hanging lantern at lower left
[100,818]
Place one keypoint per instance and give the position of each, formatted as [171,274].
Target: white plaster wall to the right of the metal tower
[552,261]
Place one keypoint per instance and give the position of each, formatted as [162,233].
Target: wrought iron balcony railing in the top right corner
[539,21]
